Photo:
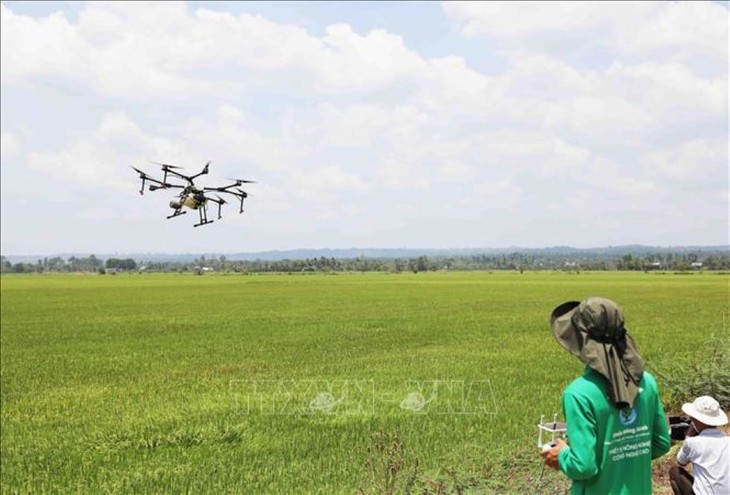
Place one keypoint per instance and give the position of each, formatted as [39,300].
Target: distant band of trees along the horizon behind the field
[666,261]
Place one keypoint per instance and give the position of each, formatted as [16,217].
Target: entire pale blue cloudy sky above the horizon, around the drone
[368,124]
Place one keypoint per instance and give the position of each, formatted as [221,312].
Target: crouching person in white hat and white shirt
[707,448]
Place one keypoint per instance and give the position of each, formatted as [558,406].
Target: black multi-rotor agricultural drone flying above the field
[192,196]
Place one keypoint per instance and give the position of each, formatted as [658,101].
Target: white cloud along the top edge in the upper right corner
[672,31]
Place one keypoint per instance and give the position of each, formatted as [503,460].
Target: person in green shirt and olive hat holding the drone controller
[615,420]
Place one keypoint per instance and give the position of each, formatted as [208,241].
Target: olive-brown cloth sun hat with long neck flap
[594,331]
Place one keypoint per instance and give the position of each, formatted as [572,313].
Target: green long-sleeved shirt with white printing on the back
[610,451]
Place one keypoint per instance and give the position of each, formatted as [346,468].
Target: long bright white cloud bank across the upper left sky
[160,50]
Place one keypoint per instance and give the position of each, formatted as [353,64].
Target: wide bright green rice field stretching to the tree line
[308,383]
